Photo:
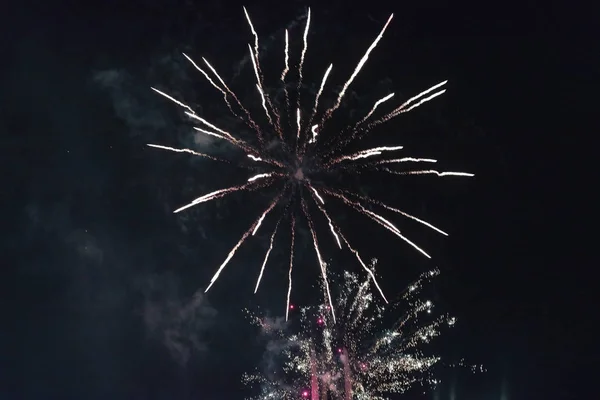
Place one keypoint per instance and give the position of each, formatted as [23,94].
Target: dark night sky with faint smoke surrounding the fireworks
[98,300]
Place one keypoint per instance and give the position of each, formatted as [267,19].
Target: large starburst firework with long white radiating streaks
[306,154]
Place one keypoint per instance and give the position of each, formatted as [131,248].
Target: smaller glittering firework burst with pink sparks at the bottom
[354,358]
